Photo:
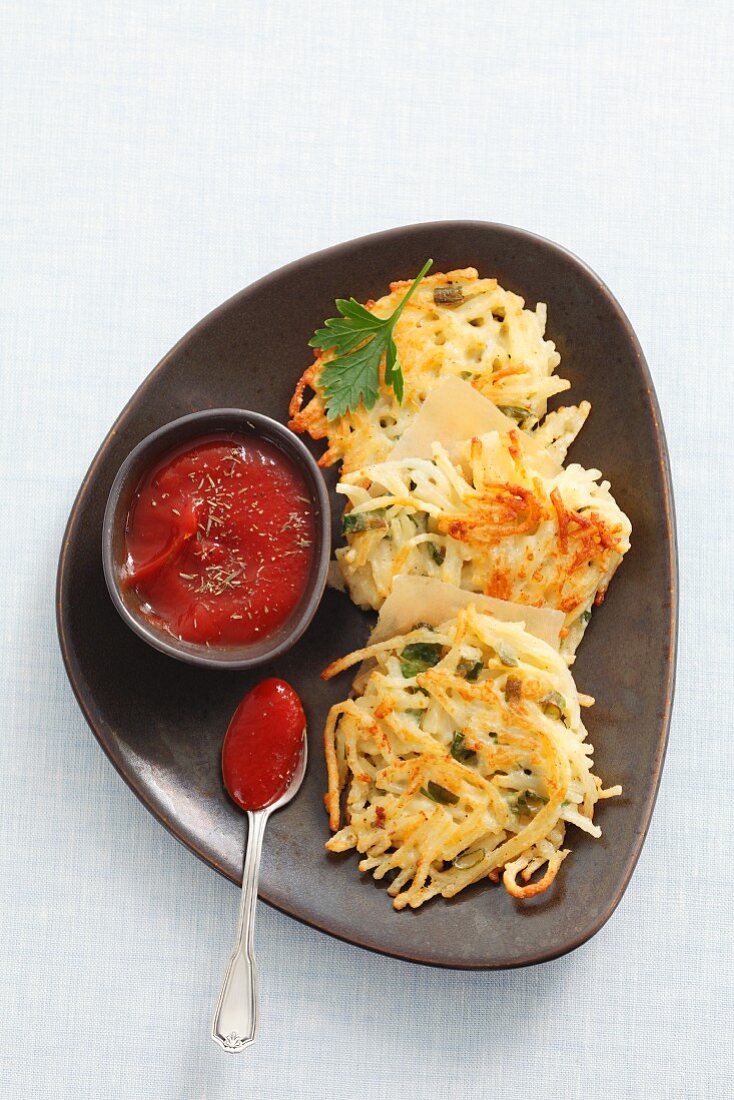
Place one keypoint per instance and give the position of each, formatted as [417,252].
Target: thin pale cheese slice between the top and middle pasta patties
[455,412]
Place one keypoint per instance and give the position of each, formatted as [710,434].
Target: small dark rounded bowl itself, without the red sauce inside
[140,460]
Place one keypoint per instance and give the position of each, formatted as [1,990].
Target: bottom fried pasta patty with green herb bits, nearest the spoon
[463,756]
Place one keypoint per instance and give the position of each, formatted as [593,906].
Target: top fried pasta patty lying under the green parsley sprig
[479,333]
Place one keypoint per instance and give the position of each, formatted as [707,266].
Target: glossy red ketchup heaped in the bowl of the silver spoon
[264,745]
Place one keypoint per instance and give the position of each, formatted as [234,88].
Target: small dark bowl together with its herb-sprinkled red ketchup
[217,537]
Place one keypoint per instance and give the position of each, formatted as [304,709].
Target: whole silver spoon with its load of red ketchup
[264,765]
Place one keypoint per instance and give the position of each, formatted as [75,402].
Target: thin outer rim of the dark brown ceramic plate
[85,702]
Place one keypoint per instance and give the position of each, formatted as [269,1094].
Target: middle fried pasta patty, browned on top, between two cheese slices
[488,522]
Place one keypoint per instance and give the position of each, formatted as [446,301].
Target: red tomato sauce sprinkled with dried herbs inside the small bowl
[220,541]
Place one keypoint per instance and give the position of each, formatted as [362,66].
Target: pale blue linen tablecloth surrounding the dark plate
[156,159]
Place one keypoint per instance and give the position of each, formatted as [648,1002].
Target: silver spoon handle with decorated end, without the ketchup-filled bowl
[236,1018]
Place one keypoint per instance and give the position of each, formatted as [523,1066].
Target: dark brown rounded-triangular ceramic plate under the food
[162,722]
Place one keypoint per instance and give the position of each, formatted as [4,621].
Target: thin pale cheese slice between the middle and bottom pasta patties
[428,600]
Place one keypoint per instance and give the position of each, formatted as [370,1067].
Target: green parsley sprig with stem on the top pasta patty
[359,340]
